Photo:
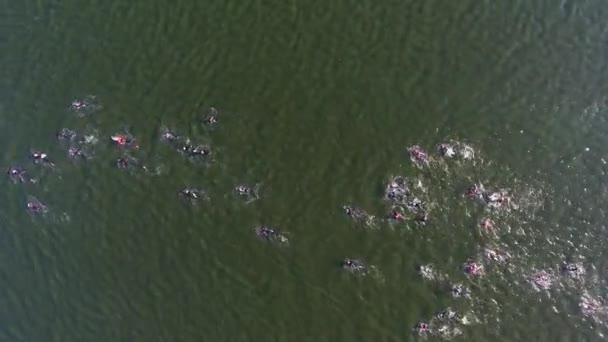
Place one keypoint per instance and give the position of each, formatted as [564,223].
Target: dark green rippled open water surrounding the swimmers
[318,102]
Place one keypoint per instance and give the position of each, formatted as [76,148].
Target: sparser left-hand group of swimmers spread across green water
[78,149]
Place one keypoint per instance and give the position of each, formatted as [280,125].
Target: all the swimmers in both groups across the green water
[405,198]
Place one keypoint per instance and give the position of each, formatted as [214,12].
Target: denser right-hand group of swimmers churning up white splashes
[405,197]
